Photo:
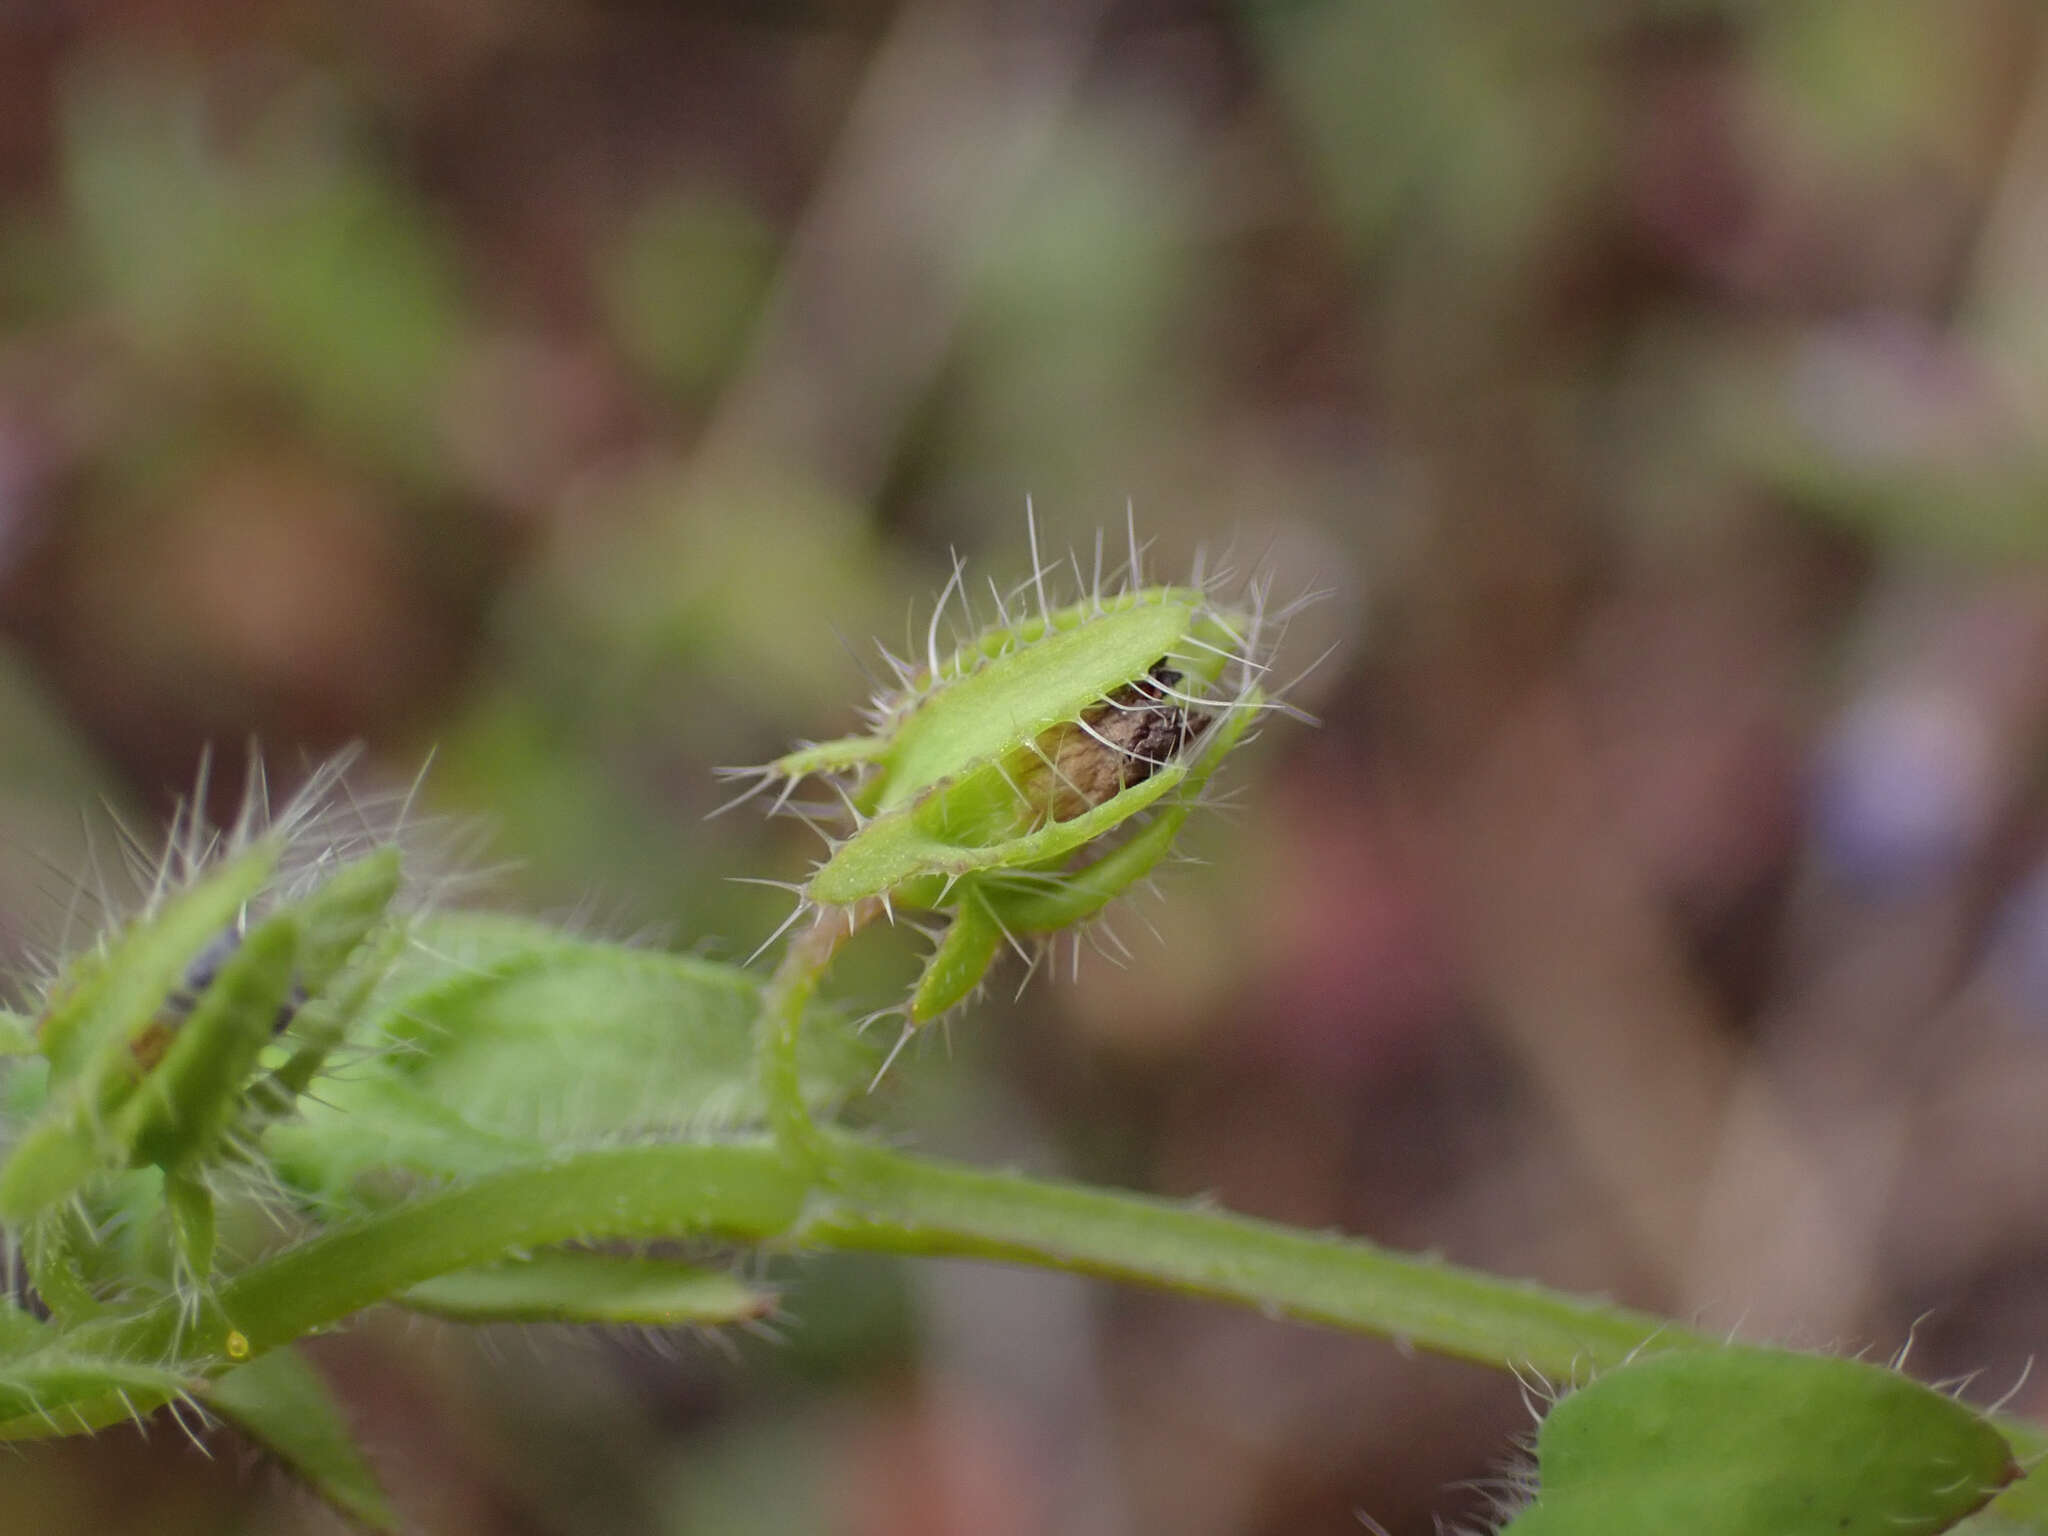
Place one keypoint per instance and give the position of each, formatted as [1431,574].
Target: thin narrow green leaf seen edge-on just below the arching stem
[581,1287]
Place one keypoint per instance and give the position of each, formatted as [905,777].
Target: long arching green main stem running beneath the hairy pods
[876,1201]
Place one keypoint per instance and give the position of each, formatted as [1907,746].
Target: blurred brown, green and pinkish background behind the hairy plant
[579,388]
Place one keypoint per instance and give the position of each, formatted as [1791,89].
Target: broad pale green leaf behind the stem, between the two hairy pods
[499,1041]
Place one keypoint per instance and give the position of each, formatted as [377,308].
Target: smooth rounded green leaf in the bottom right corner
[1760,1443]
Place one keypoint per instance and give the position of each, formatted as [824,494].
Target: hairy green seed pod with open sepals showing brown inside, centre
[1023,779]
